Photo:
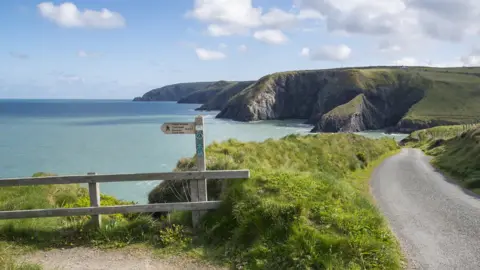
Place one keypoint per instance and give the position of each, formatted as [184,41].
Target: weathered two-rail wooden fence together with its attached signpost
[197,181]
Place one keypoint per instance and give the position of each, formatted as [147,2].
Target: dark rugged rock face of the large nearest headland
[332,100]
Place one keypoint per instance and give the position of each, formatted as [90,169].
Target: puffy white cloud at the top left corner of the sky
[69,16]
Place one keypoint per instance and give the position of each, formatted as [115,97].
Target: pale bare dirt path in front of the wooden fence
[96,259]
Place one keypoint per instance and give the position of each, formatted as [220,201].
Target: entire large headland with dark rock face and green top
[355,99]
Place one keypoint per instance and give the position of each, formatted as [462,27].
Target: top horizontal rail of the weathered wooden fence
[58,180]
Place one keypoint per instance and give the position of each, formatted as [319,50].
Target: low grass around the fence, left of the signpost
[20,236]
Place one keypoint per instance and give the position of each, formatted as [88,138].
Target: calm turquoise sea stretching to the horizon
[74,137]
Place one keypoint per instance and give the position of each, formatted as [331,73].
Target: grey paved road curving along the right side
[437,223]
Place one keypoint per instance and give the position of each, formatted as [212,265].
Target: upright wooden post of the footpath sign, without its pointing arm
[198,188]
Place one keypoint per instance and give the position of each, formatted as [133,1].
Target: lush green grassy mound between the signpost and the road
[306,205]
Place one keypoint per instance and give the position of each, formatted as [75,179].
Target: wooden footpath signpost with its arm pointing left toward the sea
[198,188]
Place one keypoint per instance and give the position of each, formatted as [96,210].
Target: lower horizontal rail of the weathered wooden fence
[108,210]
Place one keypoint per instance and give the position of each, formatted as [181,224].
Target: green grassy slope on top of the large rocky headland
[451,96]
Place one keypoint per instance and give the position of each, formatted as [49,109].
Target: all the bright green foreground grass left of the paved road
[305,206]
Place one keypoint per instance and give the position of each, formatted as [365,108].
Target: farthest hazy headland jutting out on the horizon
[173,92]
